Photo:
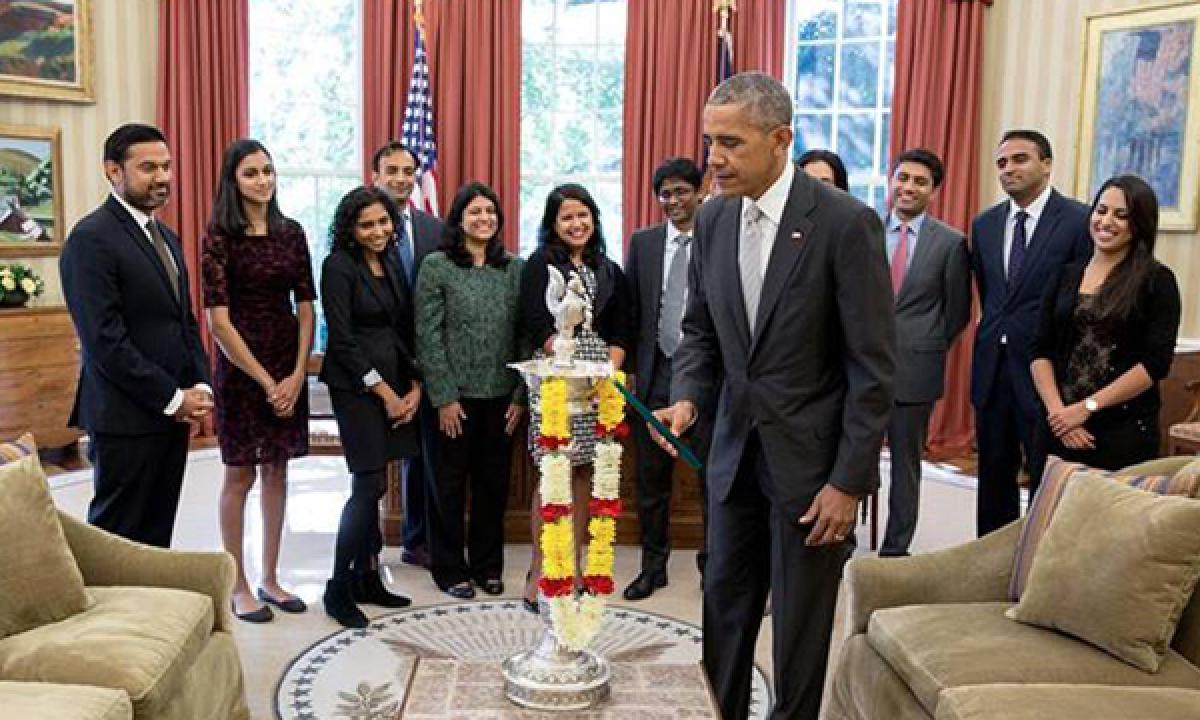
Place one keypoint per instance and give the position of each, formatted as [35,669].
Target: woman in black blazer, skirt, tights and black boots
[374,385]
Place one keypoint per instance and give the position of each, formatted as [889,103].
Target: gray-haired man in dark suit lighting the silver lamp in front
[790,332]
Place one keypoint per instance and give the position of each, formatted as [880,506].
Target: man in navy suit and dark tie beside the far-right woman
[1017,250]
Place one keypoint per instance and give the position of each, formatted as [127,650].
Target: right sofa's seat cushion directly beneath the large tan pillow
[938,647]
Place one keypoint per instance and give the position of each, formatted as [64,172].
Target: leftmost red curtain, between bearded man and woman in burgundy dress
[202,107]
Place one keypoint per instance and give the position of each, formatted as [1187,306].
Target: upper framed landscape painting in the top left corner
[46,50]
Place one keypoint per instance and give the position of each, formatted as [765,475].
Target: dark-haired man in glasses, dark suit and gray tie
[657,269]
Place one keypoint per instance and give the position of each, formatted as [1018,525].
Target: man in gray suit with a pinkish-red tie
[932,281]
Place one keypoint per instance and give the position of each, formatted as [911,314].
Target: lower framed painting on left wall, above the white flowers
[31,191]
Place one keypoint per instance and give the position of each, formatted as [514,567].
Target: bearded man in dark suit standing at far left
[143,385]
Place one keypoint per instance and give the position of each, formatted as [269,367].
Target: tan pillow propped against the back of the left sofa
[40,581]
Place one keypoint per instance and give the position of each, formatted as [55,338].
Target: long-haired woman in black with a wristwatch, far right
[1107,337]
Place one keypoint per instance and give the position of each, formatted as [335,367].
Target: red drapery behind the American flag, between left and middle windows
[475,50]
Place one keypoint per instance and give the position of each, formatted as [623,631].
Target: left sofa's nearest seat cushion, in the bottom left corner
[47,701]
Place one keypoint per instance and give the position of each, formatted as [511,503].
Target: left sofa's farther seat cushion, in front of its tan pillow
[139,640]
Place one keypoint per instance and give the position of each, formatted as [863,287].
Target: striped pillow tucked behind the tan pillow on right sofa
[1054,482]
